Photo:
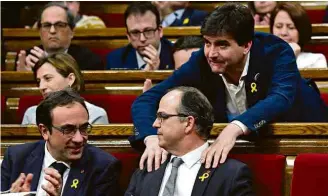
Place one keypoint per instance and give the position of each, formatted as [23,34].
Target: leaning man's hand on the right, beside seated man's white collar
[220,149]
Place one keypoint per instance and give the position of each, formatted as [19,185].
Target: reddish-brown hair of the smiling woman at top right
[300,18]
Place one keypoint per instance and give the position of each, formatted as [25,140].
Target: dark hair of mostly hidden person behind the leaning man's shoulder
[188,42]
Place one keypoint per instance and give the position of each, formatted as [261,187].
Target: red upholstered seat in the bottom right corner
[310,175]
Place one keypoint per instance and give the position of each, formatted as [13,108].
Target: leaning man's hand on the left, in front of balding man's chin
[153,151]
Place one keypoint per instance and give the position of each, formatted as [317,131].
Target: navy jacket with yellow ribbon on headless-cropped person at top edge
[190,17]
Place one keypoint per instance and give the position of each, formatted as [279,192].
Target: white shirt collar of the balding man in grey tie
[192,157]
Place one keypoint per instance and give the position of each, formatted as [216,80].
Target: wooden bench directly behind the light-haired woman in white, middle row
[17,84]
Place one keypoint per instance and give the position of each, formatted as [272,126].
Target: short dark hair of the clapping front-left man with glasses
[53,100]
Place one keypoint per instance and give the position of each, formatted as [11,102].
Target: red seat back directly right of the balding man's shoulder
[268,172]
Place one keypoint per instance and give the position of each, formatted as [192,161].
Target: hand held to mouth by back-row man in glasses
[152,58]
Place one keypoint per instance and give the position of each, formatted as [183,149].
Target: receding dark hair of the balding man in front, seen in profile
[195,103]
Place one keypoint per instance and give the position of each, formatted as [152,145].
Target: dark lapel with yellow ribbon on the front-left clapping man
[76,176]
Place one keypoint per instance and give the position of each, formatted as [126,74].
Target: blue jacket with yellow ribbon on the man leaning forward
[281,94]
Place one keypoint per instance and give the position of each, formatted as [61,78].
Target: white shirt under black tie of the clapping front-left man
[47,161]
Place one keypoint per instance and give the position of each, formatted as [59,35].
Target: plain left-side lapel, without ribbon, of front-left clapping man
[34,165]
